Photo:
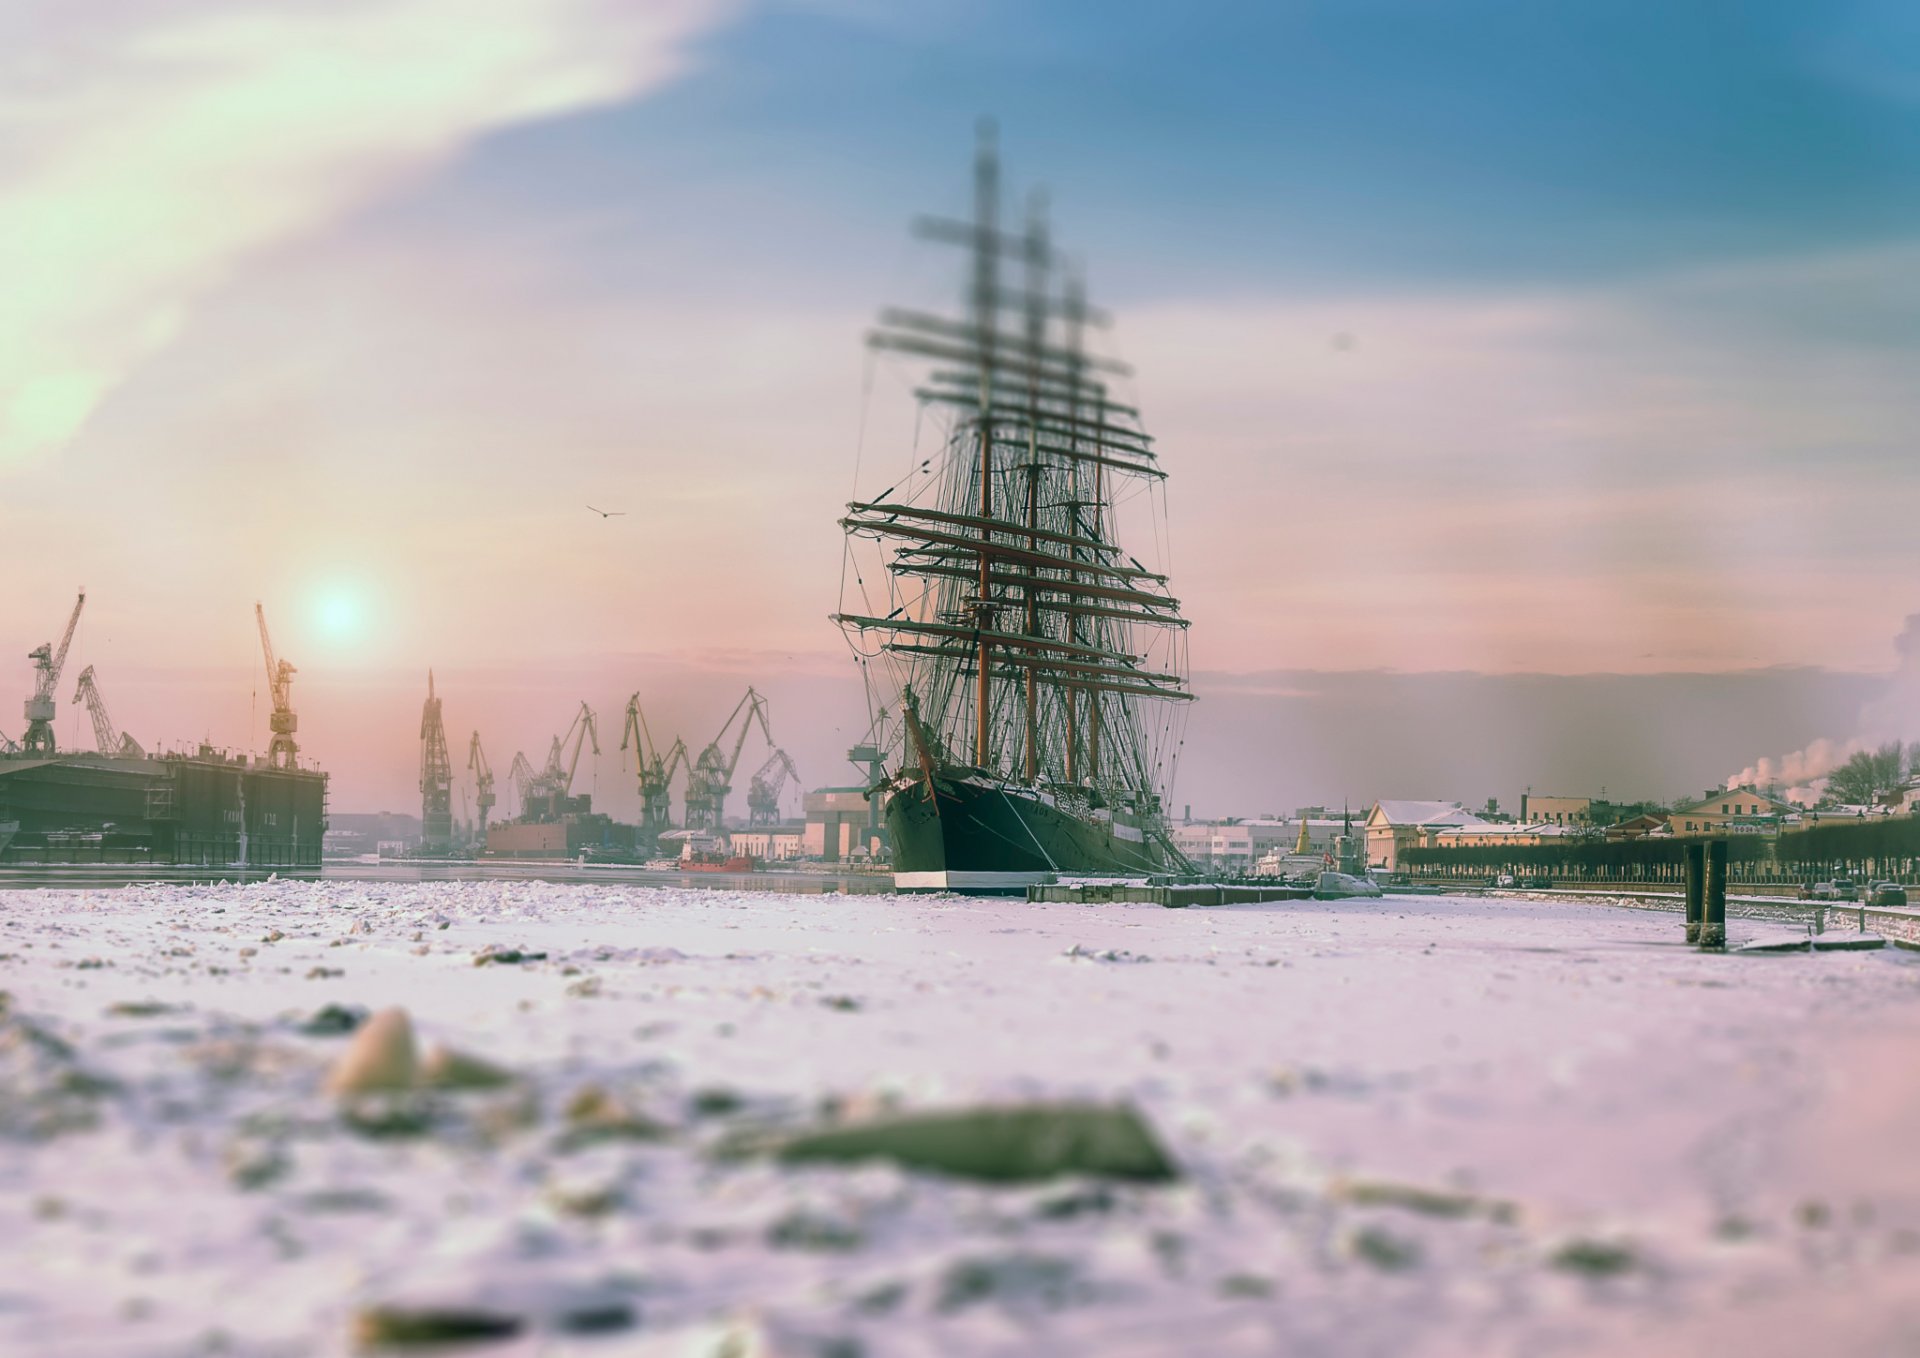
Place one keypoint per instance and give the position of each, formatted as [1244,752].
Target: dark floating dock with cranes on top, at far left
[122,806]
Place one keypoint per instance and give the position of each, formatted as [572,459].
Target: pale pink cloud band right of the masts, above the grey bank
[1692,472]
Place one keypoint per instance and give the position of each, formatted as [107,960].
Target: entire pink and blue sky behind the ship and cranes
[1487,345]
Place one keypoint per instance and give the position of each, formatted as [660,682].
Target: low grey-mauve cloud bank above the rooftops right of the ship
[1474,737]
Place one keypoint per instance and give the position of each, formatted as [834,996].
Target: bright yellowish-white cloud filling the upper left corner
[149,151]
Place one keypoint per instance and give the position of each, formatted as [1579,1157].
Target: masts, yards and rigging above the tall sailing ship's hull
[1003,573]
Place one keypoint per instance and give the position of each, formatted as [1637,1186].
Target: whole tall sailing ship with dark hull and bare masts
[1028,667]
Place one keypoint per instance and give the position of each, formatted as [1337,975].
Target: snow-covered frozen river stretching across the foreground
[1404,1127]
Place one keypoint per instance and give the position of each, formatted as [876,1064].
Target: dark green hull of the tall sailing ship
[988,840]
